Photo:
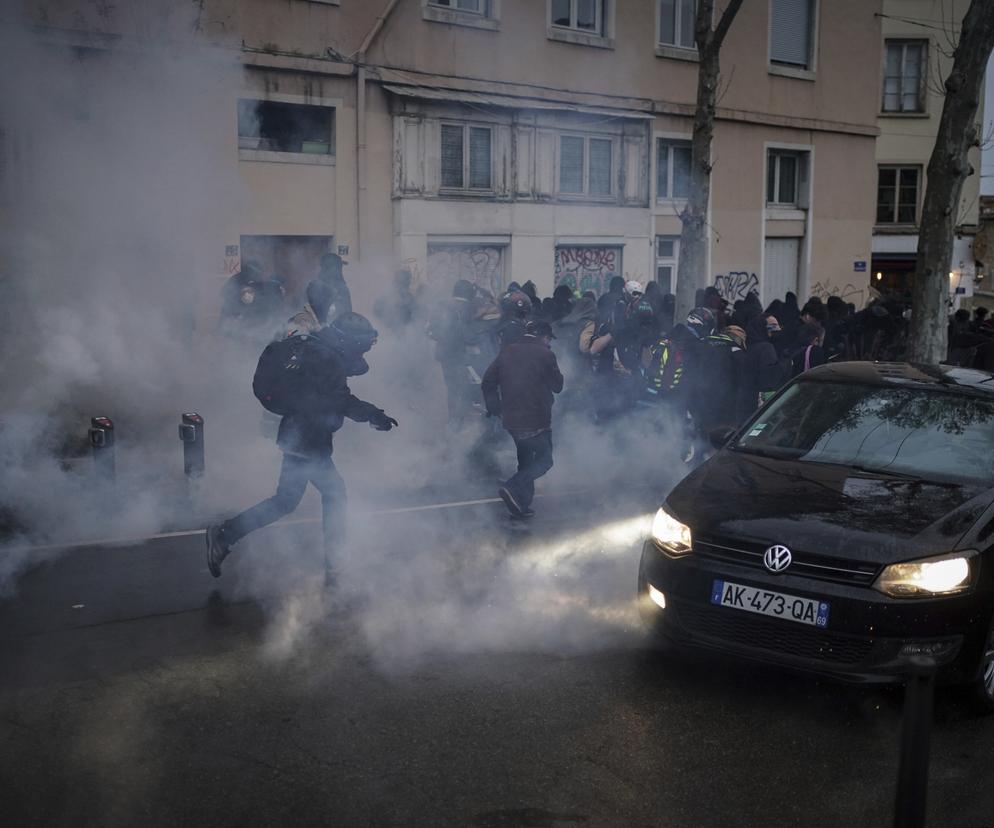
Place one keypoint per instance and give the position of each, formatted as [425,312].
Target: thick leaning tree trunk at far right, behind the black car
[948,168]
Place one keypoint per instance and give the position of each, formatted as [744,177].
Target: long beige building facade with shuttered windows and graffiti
[501,140]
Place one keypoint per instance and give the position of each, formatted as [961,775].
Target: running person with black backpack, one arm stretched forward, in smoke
[304,378]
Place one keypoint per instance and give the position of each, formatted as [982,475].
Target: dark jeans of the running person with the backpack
[296,473]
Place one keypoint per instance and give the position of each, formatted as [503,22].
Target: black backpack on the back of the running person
[283,377]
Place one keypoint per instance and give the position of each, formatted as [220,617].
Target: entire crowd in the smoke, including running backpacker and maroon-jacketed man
[609,357]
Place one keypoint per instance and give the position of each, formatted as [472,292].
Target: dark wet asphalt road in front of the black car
[493,675]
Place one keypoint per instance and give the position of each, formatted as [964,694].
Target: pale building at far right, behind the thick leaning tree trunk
[918,39]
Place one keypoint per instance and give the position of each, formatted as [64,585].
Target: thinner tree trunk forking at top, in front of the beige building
[694,239]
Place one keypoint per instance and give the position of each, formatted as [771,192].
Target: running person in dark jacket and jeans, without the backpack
[305,438]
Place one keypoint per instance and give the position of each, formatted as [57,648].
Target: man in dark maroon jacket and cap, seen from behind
[519,387]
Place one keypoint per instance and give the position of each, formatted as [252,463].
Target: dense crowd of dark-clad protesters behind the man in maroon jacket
[624,353]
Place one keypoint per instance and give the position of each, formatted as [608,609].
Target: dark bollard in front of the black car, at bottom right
[916,733]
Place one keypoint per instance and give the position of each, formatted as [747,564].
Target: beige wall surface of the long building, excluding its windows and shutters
[287,43]
